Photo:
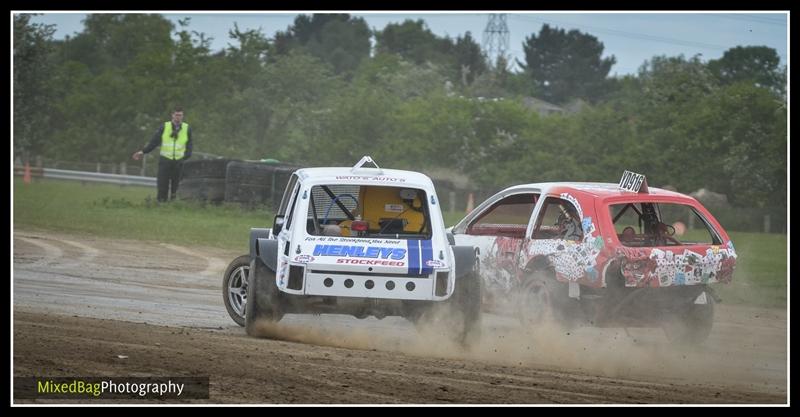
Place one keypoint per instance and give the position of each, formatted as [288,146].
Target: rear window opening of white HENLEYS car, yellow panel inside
[378,211]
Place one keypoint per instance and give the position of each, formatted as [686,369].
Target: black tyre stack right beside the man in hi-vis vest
[203,180]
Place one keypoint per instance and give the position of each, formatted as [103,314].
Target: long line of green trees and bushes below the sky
[321,93]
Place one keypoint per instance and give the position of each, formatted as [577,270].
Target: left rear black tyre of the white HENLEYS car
[263,297]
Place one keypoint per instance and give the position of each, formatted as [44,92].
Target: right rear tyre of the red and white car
[693,325]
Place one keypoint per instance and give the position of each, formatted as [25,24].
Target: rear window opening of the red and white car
[643,224]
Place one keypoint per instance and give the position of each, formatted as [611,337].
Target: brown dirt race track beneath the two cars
[81,301]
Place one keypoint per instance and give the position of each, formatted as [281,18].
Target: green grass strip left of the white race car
[130,212]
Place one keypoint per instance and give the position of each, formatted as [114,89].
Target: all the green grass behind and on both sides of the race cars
[130,212]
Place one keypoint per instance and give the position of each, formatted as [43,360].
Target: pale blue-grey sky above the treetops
[630,37]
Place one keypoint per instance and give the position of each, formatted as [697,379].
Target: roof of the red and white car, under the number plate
[602,190]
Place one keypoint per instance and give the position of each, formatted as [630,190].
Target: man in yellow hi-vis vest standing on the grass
[175,139]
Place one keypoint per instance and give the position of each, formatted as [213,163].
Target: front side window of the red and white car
[506,217]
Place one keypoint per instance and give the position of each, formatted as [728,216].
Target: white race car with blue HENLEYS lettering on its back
[361,241]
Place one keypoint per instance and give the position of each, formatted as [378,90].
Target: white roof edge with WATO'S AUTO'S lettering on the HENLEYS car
[377,176]
